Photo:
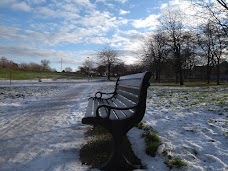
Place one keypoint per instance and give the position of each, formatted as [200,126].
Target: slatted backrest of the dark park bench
[132,90]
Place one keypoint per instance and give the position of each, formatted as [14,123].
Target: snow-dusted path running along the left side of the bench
[40,135]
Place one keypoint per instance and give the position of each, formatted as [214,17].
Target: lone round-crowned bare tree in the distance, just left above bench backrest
[108,57]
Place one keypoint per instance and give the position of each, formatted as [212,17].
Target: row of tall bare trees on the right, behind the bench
[177,48]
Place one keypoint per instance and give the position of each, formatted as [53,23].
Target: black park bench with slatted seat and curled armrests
[118,113]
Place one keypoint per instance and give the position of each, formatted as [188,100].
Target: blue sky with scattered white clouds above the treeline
[67,32]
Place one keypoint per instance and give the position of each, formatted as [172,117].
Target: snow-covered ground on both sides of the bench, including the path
[40,125]
